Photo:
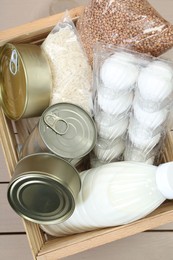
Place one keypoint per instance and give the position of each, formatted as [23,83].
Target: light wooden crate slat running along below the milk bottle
[63,247]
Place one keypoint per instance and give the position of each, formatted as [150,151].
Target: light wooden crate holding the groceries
[42,246]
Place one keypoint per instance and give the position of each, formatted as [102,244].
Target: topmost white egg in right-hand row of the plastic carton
[155,85]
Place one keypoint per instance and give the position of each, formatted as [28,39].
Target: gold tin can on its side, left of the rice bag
[26,80]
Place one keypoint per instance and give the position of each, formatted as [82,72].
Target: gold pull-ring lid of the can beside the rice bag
[13,82]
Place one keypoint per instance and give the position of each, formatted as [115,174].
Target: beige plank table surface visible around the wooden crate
[153,245]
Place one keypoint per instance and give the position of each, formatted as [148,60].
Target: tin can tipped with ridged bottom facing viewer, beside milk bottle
[44,188]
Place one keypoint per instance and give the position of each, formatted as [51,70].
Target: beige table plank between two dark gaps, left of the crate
[9,220]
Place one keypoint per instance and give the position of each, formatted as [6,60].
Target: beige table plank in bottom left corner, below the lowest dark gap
[14,247]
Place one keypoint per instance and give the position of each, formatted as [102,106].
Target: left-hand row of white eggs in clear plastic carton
[115,76]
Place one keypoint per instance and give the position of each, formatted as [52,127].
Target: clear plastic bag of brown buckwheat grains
[134,24]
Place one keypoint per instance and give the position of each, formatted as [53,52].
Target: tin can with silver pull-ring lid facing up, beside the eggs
[64,129]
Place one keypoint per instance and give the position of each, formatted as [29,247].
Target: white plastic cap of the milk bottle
[164,179]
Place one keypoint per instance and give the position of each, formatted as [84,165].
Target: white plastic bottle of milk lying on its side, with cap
[117,194]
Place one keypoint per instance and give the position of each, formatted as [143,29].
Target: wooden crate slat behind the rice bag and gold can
[36,30]
